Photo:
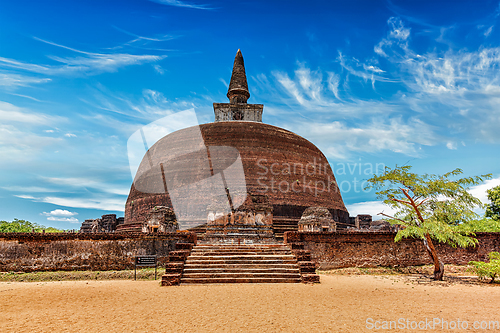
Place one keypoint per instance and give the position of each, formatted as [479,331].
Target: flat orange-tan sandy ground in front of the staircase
[339,304]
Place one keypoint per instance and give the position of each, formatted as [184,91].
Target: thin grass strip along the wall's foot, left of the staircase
[142,274]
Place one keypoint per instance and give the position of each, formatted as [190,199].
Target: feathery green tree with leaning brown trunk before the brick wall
[429,207]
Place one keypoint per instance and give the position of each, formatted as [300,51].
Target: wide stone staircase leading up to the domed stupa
[244,263]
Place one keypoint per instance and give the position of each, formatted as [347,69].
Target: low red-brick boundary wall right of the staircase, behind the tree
[372,249]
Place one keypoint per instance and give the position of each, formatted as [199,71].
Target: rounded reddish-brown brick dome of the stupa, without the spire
[309,181]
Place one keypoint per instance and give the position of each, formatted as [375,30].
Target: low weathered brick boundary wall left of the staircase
[29,252]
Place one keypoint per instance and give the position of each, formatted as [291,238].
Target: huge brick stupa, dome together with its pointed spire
[289,170]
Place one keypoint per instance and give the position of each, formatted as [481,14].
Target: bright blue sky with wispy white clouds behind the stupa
[369,82]
